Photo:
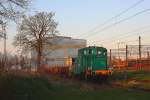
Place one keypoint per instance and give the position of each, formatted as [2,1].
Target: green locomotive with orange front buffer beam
[92,61]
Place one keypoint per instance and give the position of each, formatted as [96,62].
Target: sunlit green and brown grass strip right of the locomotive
[132,79]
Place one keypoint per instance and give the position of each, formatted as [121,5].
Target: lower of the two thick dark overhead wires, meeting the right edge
[125,19]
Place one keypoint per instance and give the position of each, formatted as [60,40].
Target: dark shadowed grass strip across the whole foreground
[13,87]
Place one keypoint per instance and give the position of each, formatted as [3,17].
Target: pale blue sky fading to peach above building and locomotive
[78,18]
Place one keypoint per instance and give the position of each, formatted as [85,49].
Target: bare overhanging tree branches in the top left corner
[12,9]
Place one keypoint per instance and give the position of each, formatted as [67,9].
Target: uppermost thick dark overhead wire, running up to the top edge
[118,15]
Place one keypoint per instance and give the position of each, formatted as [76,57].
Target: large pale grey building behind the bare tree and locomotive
[59,48]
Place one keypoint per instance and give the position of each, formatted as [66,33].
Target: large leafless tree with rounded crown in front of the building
[34,32]
